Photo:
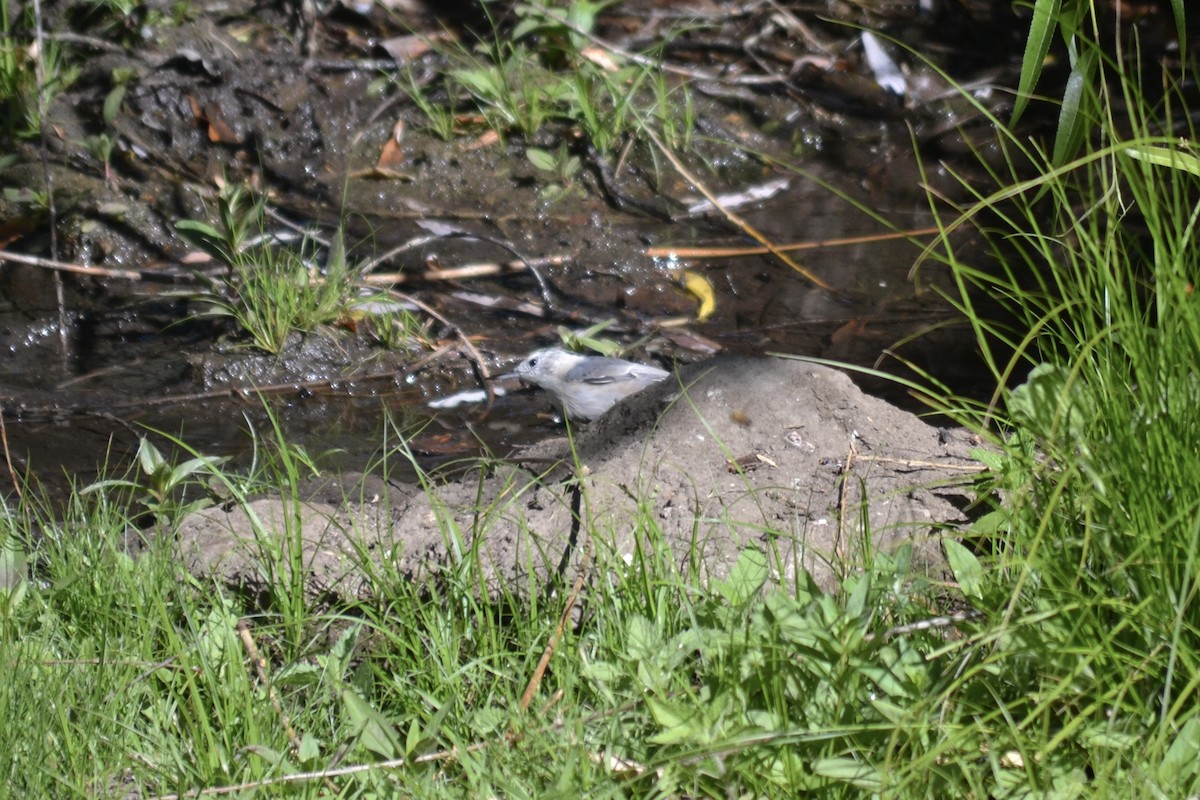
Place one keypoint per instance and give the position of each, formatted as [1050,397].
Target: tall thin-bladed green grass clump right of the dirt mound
[1088,676]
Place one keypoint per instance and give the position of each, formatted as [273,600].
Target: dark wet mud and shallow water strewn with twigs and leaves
[311,115]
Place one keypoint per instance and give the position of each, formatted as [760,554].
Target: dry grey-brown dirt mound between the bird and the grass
[775,454]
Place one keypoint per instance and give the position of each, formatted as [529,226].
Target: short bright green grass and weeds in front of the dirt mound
[667,685]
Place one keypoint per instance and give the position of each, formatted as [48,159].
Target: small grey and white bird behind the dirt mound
[586,386]
